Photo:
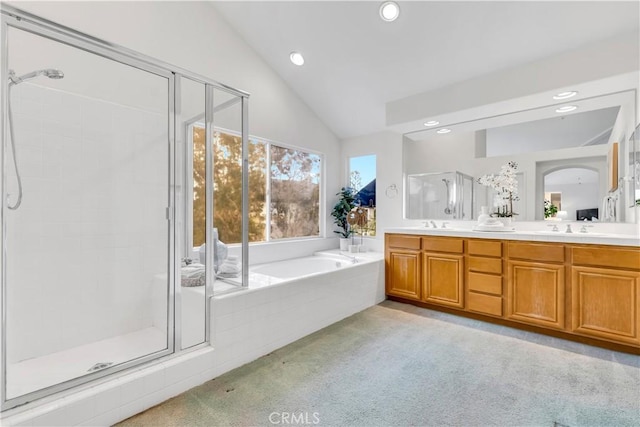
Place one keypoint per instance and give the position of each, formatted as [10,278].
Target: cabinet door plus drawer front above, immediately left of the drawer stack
[443,271]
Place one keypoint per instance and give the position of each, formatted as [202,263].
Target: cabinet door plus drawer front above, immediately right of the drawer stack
[536,284]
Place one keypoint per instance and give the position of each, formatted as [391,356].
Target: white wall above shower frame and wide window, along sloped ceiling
[195,37]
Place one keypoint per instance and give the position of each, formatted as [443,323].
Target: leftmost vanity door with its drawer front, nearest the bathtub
[402,266]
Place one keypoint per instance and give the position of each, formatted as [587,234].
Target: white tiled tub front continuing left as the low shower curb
[245,325]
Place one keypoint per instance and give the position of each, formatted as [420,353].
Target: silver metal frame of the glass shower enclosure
[12,17]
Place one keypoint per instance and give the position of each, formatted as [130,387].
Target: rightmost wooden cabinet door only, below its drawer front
[605,303]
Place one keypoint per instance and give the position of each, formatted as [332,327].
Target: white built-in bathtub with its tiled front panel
[287,300]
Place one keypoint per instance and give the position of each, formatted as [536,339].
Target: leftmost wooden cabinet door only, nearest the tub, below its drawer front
[403,273]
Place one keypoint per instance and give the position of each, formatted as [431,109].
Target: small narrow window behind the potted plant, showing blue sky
[362,178]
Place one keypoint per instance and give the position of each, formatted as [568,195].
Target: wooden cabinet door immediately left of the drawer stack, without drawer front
[443,279]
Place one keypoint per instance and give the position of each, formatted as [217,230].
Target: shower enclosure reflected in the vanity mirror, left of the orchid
[448,195]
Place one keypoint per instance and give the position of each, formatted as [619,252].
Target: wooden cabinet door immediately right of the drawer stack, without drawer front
[536,293]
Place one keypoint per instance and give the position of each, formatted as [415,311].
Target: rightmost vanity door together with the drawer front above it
[605,291]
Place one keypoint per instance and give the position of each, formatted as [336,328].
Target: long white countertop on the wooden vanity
[529,235]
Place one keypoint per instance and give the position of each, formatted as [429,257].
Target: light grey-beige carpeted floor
[399,365]
